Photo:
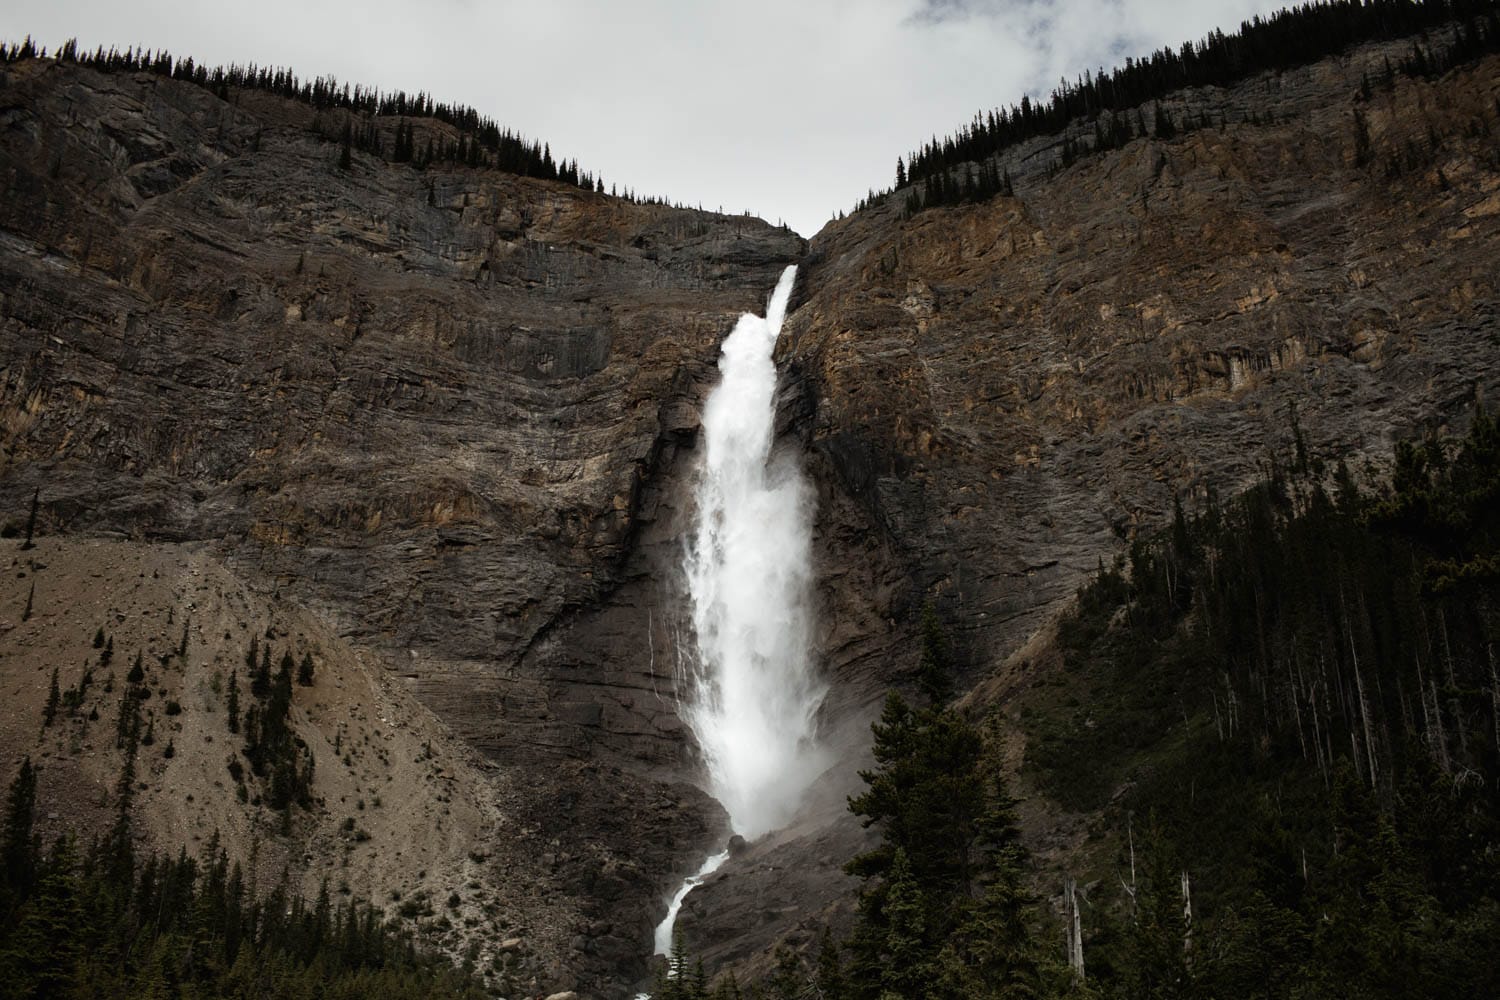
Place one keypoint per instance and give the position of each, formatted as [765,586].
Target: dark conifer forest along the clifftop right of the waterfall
[1120,103]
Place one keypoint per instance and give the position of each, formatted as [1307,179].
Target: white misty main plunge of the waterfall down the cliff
[749,573]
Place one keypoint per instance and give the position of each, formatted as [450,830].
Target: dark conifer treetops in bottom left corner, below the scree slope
[91,927]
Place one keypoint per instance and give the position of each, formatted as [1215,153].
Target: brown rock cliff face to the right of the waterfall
[1006,392]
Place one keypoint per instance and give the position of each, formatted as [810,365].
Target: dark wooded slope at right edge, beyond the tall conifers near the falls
[1300,687]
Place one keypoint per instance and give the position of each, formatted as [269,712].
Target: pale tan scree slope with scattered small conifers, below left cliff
[404,815]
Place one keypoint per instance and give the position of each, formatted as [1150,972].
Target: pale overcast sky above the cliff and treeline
[788,109]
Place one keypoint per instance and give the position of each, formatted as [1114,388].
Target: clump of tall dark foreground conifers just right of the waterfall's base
[944,909]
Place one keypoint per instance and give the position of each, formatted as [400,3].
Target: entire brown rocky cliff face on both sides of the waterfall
[452,412]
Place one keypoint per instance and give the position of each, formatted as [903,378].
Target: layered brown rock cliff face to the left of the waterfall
[442,410]
